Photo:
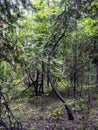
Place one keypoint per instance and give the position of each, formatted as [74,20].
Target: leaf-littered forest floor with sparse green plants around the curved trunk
[48,113]
